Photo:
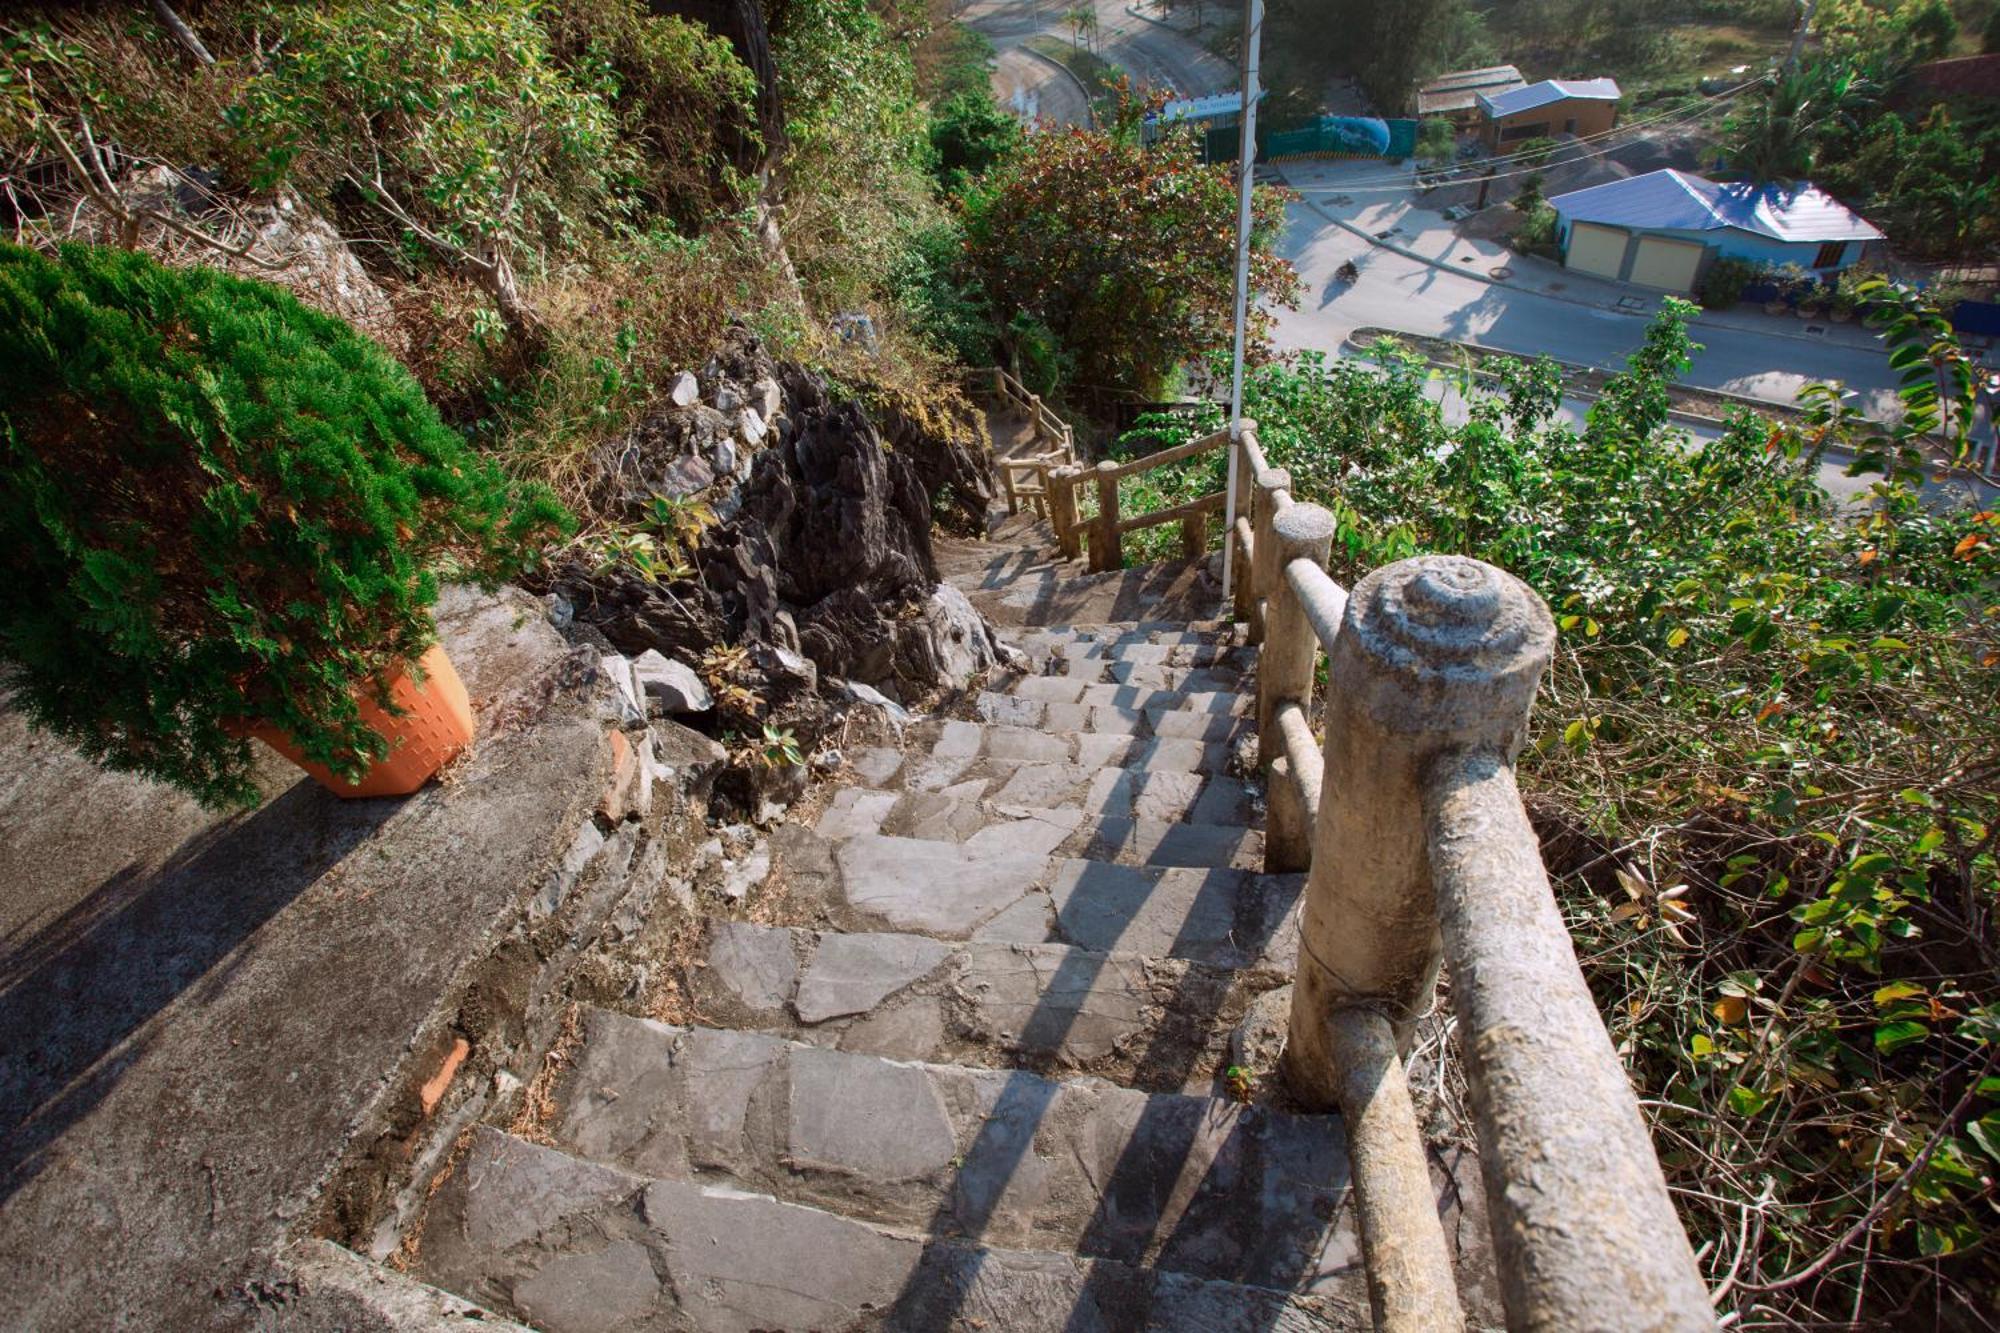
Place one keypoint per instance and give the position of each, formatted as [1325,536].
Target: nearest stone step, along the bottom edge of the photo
[581,1248]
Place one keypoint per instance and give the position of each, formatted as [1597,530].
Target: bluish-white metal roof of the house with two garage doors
[1677,201]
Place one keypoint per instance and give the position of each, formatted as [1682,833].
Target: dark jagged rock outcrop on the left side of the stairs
[821,559]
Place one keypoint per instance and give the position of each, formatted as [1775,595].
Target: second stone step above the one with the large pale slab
[1099,792]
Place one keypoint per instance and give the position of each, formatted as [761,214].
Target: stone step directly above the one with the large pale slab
[955,818]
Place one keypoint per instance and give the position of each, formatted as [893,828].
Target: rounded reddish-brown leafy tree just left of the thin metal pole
[1123,251]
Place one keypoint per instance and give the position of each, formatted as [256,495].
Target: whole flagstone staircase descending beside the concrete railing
[961,1062]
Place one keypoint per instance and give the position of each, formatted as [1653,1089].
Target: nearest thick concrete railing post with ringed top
[1433,655]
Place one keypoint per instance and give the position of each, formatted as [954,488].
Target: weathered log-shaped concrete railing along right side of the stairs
[1419,854]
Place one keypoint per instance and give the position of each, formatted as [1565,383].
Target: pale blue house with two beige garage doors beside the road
[1665,229]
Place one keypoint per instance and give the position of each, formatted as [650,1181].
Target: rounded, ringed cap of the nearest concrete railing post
[1449,647]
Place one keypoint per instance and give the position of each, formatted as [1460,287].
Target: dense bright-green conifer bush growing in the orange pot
[219,505]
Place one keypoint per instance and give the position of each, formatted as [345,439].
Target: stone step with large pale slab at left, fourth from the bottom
[999,886]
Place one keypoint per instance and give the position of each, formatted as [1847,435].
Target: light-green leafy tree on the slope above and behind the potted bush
[453,121]
